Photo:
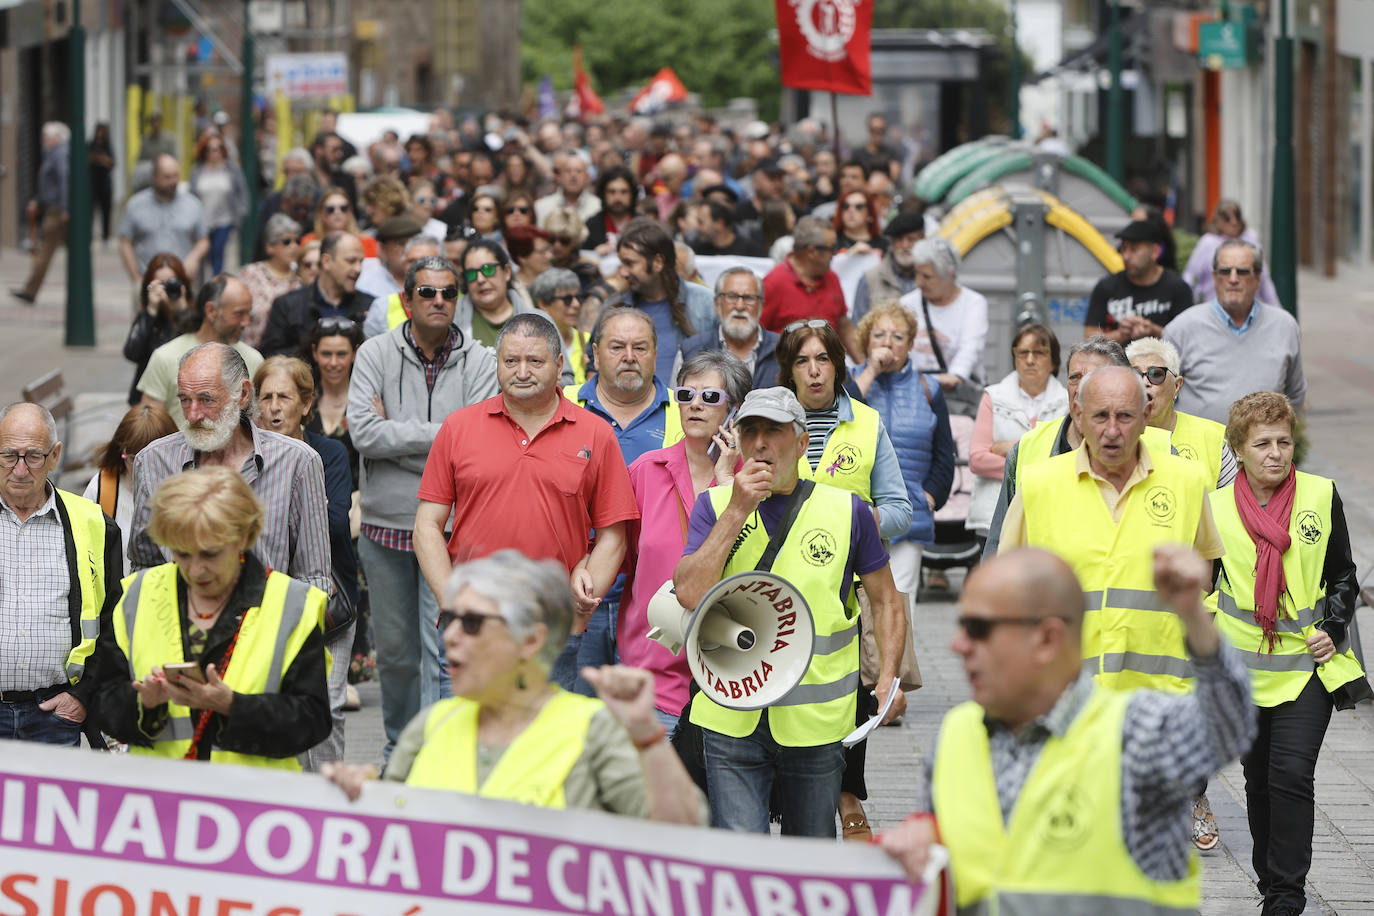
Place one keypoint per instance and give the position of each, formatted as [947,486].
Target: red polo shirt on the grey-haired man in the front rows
[541,495]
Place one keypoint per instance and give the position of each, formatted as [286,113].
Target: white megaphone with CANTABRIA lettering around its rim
[748,643]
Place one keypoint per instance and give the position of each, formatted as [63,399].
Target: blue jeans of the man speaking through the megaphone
[741,774]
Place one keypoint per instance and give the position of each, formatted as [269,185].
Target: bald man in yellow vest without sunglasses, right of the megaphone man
[1104,507]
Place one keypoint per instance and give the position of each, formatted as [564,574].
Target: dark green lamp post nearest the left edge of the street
[80,319]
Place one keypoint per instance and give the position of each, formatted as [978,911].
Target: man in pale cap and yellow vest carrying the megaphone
[820,538]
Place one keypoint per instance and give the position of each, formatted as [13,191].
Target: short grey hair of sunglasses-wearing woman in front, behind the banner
[527,594]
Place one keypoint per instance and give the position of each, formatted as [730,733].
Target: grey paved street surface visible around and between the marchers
[1339,355]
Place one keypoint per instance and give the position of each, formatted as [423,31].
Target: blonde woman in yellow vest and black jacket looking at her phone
[237,674]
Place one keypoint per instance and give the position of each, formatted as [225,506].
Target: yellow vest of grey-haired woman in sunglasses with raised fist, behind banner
[532,771]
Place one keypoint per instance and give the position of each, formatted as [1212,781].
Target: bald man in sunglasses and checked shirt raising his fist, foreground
[1099,782]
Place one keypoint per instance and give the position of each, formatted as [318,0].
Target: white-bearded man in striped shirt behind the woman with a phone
[286,474]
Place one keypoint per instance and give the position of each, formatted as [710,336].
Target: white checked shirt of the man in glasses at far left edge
[35,590]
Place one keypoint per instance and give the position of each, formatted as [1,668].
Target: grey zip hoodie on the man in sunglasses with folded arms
[395,448]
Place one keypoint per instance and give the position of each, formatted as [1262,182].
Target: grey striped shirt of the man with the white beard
[289,480]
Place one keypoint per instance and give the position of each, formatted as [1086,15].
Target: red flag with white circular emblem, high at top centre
[825,45]
